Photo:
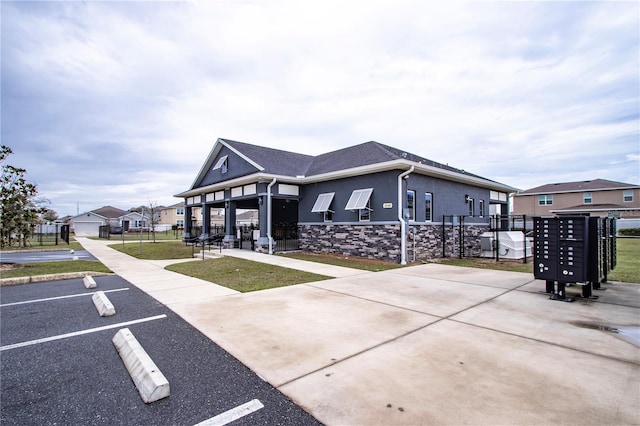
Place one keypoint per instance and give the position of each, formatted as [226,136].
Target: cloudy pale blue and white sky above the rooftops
[119,103]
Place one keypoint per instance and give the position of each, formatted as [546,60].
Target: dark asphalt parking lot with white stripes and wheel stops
[59,365]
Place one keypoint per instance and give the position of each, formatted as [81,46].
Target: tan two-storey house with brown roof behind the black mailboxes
[599,197]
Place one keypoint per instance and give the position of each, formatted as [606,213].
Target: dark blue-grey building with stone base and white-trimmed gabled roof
[357,201]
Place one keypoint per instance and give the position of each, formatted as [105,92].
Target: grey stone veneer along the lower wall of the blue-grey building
[383,241]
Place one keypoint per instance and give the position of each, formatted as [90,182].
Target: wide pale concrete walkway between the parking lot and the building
[427,344]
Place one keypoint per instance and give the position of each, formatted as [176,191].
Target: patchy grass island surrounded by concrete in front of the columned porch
[244,275]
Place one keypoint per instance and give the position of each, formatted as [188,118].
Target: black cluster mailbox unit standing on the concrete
[573,250]
